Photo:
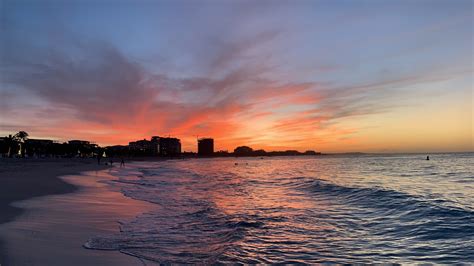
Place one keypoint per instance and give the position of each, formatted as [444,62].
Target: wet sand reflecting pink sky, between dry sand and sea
[54,228]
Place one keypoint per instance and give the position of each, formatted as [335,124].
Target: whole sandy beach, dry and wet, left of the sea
[46,220]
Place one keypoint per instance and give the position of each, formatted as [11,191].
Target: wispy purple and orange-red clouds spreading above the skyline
[117,99]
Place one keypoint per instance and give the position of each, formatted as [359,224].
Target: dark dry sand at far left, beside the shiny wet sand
[25,179]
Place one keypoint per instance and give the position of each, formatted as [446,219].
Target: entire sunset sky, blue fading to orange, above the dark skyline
[331,76]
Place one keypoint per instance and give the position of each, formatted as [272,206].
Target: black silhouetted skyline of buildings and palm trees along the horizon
[20,145]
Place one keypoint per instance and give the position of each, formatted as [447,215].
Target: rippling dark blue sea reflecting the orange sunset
[342,209]
